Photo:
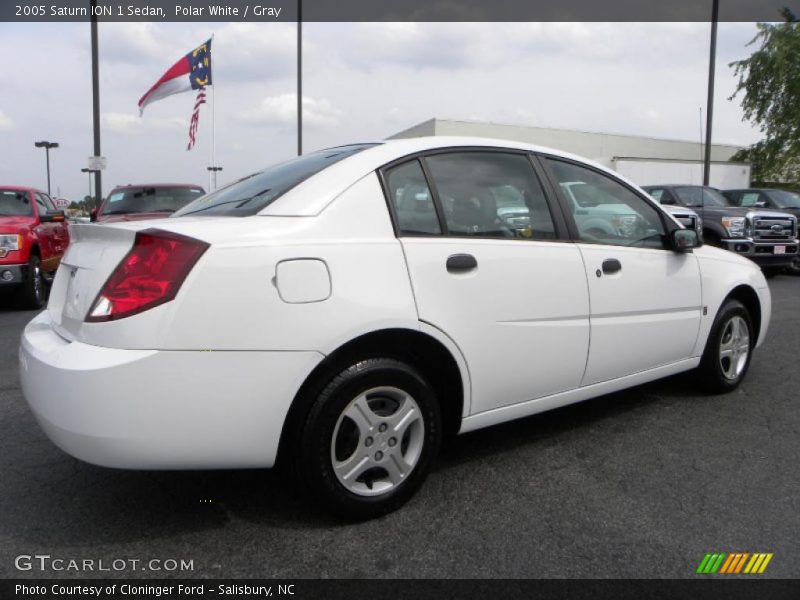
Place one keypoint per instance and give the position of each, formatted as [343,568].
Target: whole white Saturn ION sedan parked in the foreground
[343,310]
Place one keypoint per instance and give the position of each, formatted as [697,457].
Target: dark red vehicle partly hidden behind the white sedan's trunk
[145,201]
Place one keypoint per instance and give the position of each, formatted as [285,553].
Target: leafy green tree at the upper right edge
[770,82]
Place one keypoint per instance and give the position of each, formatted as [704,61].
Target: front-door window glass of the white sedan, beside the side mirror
[605,211]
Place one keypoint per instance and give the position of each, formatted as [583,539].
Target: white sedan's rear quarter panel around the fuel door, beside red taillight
[230,300]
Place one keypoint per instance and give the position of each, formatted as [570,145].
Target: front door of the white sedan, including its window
[645,298]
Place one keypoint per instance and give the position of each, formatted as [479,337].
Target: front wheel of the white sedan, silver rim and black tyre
[728,349]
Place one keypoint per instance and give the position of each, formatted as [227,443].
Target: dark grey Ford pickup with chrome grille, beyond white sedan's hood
[768,238]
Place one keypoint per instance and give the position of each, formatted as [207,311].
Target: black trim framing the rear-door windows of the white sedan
[559,223]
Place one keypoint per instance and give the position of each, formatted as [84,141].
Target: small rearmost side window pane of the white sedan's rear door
[412,200]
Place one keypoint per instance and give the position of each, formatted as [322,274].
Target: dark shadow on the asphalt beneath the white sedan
[55,500]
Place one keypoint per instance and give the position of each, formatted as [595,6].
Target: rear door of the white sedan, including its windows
[489,269]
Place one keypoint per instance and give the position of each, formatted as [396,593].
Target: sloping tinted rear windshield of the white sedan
[253,193]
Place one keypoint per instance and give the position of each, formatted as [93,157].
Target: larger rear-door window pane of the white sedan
[491,194]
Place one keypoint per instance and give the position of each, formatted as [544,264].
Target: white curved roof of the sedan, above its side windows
[315,193]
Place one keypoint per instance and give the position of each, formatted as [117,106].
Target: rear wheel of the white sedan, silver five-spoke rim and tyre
[370,439]
